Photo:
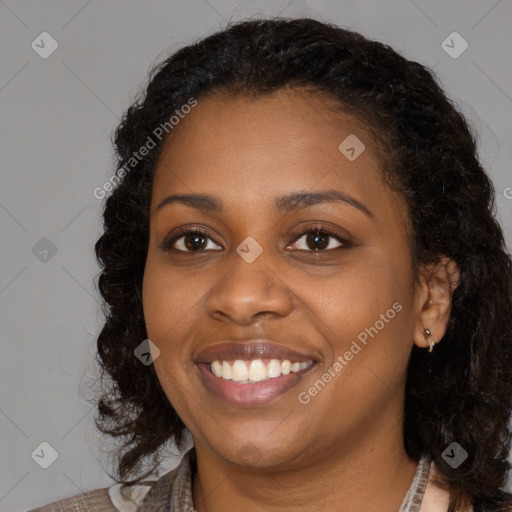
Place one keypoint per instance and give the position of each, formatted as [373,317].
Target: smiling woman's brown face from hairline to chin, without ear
[255,292]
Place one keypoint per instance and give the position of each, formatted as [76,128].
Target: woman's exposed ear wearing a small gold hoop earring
[434,296]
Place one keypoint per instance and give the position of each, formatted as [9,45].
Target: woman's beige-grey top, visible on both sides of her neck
[173,493]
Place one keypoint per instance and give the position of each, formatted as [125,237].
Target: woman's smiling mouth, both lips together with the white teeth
[252,373]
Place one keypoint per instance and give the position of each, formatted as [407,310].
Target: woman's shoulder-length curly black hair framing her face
[462,391]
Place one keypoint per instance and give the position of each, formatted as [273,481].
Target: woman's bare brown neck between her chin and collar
[372,476]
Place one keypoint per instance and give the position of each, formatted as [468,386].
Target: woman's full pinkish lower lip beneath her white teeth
[246,395]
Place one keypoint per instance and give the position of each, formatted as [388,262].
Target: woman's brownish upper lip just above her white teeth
[248,350]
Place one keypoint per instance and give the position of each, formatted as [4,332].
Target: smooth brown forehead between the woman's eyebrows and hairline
[248,150]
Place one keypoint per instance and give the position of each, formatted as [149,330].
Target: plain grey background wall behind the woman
[57,115]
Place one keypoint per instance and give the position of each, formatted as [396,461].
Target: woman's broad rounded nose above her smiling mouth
[248,290]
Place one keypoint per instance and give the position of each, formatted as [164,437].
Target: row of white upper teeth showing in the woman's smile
[255,370]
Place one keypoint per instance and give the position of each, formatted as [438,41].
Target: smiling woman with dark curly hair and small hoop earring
[302,269]
